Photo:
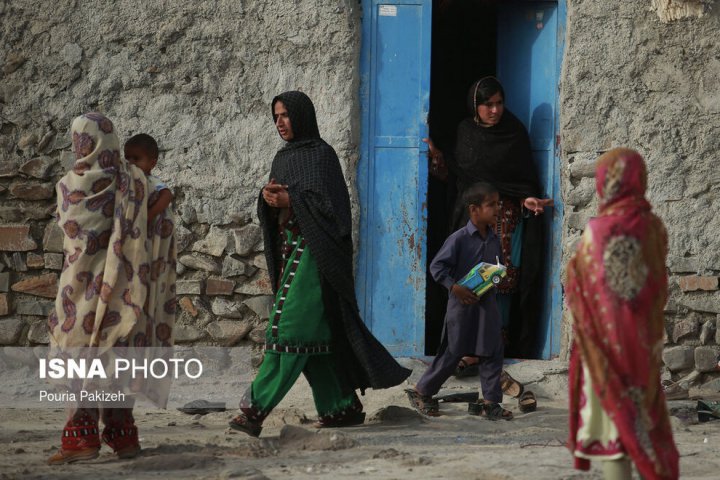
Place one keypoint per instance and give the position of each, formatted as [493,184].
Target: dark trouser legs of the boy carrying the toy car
[444,365]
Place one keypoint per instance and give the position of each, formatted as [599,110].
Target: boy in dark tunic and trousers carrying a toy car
[472,324]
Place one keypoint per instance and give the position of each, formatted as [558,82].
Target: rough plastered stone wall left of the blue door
[199,77]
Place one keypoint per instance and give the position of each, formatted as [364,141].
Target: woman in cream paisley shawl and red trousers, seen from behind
[103,292]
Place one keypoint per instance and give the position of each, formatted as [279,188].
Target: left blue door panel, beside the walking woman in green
[392,172]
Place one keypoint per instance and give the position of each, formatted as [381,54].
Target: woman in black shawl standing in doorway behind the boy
[493,146]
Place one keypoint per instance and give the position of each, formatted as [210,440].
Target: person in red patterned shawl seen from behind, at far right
[616,291]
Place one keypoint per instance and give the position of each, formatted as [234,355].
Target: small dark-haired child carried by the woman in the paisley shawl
[142,151]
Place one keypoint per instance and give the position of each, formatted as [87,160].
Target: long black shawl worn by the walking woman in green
[321,204]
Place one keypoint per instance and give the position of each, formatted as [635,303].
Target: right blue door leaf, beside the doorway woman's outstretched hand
[529,56]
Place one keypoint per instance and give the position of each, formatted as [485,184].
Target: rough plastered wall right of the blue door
[630,80]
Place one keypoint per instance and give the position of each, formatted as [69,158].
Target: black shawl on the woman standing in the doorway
[501,155]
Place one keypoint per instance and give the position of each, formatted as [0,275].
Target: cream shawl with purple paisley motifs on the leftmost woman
[102,210]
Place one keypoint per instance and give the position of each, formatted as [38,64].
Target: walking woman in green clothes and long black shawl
[315,328]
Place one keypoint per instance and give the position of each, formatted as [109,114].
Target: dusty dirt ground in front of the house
[394,443]
